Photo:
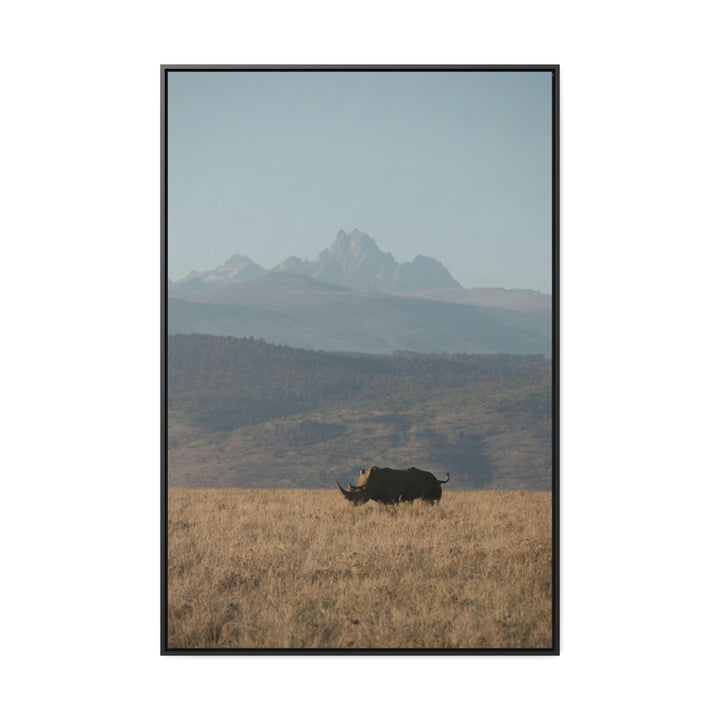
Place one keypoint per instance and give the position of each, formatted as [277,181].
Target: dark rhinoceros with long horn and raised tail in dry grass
[388,486]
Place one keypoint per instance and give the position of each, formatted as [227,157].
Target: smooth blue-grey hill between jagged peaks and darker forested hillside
[290,309]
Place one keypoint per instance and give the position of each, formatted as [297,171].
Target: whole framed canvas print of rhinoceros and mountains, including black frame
[360,359]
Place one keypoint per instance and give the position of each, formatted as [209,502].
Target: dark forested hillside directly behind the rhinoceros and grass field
[245,413]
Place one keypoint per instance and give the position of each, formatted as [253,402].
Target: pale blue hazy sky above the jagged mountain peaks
[455,165]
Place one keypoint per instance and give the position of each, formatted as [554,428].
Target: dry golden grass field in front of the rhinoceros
[306,569]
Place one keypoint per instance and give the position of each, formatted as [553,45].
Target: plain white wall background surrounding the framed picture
[79,141]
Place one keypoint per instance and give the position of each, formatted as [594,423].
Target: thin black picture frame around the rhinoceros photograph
[554,649]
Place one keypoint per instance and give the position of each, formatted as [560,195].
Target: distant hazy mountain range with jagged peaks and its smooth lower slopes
[356,298]
